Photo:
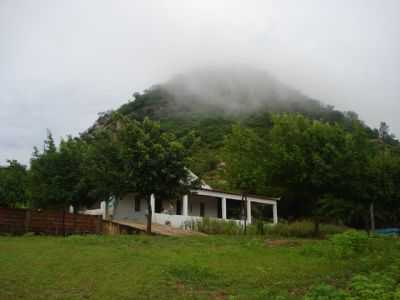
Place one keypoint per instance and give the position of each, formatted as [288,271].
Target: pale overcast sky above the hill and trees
[62,62]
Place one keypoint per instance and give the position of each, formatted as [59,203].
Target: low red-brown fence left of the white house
[19,221]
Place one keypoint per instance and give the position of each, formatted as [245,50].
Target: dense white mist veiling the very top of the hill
[231,89]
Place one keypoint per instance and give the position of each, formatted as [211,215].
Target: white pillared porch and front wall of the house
[192,207]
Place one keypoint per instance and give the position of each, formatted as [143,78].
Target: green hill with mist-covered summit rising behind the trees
[209,101]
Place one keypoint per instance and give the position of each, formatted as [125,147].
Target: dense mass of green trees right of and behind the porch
[332,171]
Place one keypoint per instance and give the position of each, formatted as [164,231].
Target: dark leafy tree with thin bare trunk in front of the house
[156,160]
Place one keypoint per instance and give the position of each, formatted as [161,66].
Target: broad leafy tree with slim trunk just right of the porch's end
[306,158]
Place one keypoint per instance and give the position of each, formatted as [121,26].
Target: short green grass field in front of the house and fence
[143,267]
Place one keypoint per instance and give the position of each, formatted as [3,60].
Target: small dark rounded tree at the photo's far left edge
[13,185]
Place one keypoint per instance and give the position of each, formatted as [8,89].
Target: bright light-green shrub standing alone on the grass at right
[350,242]
